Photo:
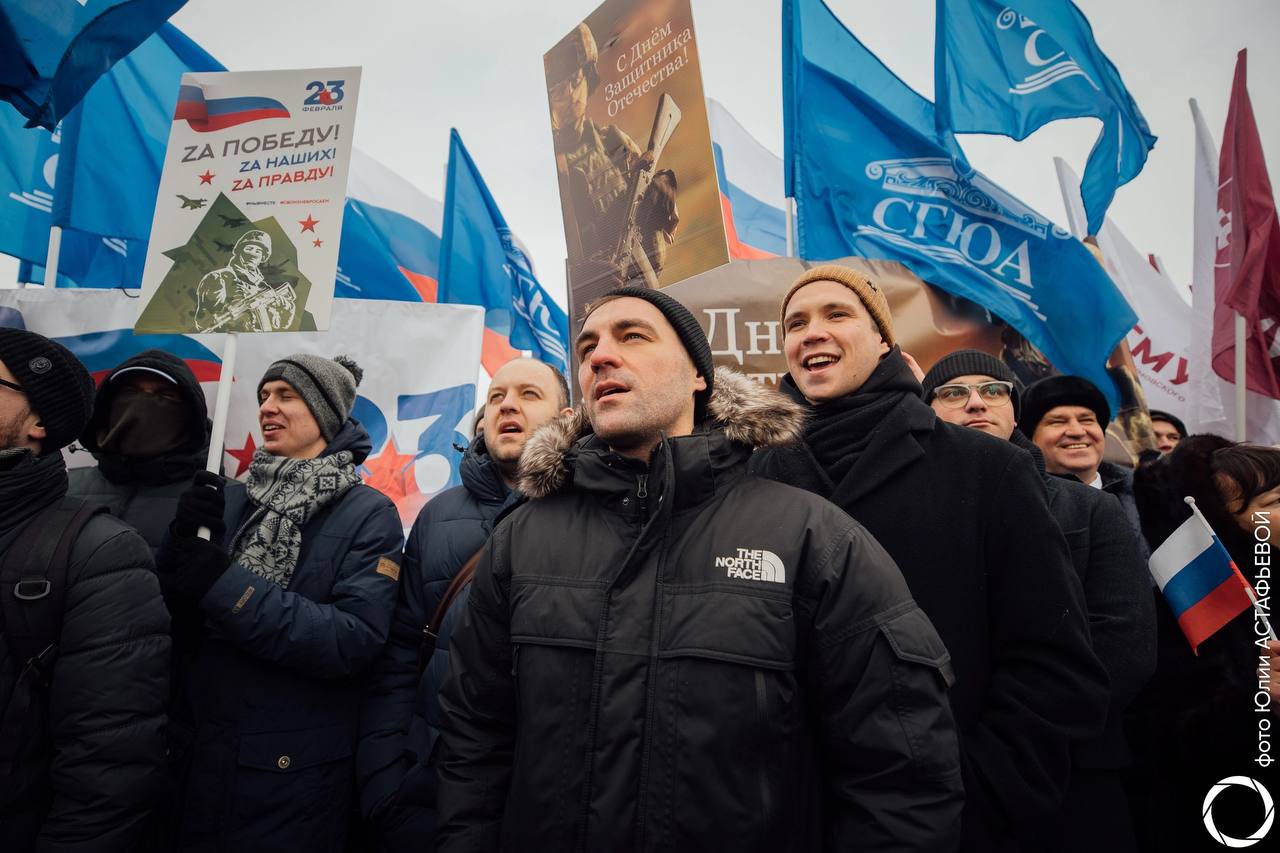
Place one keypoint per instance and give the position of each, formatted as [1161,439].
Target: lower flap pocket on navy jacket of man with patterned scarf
[294,790]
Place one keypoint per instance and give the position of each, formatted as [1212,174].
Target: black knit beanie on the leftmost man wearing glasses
[57,385]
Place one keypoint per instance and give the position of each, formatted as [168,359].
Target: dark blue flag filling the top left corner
[52,52]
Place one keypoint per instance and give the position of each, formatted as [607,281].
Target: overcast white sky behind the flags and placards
[477,66]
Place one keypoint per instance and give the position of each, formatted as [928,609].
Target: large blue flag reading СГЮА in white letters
[874,177]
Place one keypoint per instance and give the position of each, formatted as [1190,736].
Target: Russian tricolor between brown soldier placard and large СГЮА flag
[752,197]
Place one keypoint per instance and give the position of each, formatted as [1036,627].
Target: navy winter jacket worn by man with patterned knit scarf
[267,708]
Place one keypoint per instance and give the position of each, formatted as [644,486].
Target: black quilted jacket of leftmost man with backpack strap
[106,704]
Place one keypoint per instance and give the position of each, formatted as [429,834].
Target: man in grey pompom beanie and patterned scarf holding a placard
[278,618]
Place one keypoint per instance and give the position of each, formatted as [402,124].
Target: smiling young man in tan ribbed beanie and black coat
[964,517]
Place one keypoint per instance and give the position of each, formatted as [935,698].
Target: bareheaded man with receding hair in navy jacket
[401,718]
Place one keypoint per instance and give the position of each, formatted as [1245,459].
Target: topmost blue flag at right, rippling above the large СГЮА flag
[1016,66]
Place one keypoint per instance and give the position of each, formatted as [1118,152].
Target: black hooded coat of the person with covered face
[144,491]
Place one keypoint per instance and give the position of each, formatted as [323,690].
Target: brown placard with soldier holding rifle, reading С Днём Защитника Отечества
[633,150]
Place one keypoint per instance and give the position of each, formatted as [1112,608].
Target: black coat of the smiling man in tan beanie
[966,518]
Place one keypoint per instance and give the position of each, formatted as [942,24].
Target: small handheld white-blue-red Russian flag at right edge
[1200,581]
